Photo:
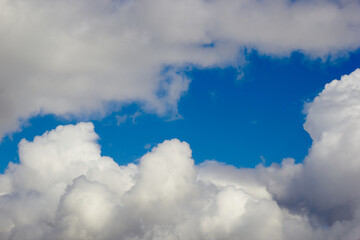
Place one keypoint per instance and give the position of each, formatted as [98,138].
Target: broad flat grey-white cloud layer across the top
[78,58]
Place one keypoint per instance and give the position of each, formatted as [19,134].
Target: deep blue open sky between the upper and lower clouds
[242,122]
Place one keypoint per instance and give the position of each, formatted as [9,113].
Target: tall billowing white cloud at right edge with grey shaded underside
[332,165]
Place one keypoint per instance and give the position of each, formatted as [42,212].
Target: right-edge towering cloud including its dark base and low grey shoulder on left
[325,186]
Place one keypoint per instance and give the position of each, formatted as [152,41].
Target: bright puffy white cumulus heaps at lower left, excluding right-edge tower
[64,189]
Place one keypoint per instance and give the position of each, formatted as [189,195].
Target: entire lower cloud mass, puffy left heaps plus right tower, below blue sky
[64,189]
